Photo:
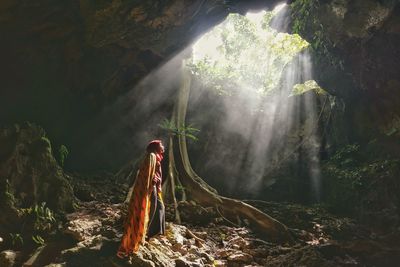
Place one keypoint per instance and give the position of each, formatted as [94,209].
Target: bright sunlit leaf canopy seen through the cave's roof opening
[245,53]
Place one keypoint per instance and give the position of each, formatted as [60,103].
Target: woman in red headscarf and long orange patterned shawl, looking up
[146,212]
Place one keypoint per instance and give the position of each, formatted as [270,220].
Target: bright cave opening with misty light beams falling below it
[256,103]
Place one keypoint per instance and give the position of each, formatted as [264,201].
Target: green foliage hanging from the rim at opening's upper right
[304,19]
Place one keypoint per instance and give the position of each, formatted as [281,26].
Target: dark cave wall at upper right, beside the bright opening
[363,37]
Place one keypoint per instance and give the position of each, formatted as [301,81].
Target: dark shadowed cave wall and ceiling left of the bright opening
[64,63]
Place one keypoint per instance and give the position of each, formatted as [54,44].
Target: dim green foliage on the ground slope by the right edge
[352,172]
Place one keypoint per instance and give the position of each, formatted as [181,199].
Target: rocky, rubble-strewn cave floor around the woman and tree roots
[90,236]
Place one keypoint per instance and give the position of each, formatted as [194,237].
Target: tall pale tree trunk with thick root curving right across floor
[181,172]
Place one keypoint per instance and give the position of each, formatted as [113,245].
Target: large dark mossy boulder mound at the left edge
[33,174]
